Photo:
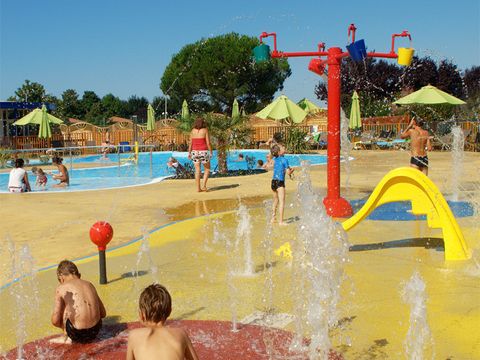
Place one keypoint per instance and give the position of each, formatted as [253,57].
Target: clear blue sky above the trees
[123,47]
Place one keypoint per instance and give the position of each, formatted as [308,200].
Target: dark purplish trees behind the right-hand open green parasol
[380,82]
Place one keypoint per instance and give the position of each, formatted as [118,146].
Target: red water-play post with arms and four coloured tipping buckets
[335,205]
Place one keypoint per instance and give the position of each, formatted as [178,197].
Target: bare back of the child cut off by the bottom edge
[160,343]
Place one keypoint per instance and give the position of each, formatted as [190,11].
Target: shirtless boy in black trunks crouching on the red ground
[78,308]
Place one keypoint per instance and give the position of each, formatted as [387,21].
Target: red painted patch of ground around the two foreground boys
[211,339]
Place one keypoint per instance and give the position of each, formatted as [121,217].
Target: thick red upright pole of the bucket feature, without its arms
[335,205]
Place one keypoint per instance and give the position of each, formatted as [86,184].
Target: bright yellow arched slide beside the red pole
[409,184]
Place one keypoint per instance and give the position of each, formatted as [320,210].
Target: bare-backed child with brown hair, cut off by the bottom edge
[155,340]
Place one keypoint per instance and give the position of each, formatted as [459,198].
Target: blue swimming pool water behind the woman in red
[119,171]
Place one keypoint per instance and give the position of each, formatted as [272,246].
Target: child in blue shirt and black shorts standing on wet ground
[278,182]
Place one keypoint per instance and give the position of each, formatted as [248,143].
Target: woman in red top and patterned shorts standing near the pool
[200,151]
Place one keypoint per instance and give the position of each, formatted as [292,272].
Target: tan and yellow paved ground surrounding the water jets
[191,258]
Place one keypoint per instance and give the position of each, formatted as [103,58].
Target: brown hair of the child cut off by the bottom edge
[155,303]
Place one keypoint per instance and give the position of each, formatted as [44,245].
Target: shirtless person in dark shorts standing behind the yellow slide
[419,145]
